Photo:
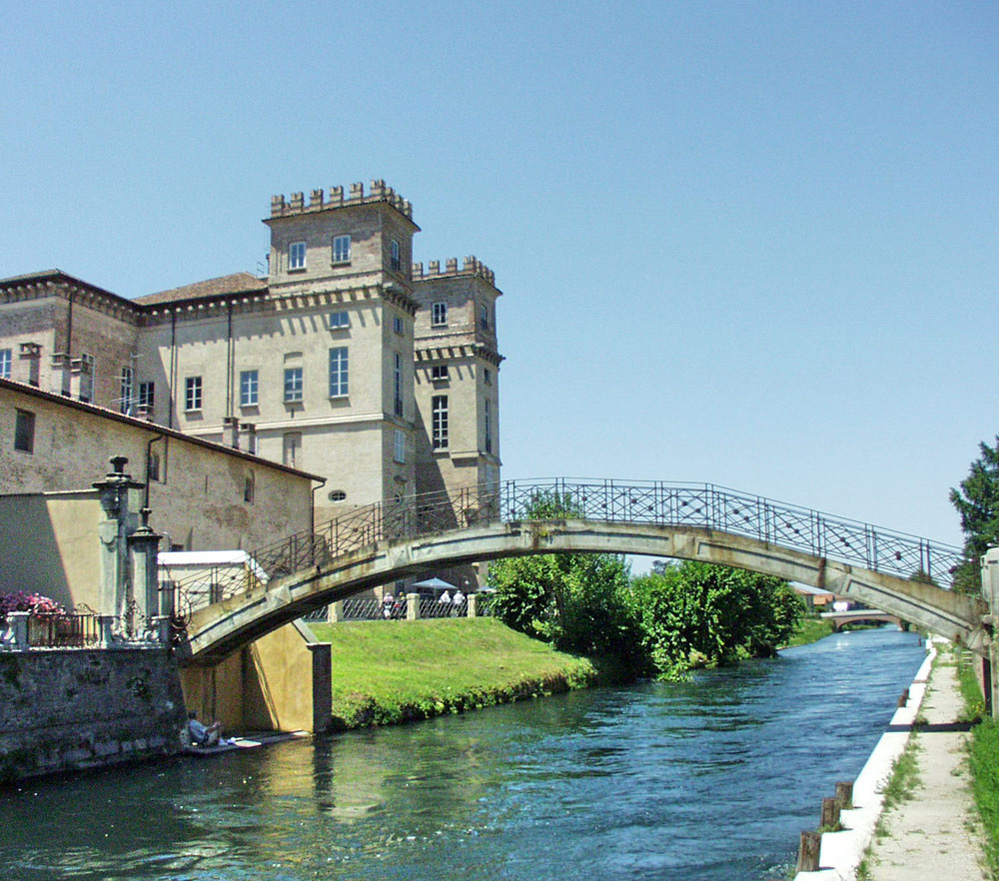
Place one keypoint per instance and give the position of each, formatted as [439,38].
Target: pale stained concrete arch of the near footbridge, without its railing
[218,630]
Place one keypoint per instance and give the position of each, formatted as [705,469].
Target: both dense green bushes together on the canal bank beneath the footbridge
[664,624]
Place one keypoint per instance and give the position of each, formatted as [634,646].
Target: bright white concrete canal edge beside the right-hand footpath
[842,852]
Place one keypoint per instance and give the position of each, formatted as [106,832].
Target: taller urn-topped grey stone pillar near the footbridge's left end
[118,493]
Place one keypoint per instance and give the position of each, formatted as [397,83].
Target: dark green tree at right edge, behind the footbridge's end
[977,503]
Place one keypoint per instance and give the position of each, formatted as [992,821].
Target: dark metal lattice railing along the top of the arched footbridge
[642,502]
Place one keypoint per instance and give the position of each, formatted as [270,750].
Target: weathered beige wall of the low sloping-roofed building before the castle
[206,496]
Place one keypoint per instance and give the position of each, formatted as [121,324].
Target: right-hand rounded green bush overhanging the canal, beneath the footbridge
[699,614]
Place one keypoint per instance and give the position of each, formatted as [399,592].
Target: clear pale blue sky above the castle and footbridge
[750,244]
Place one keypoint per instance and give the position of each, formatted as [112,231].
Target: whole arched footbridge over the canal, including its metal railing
[900,574]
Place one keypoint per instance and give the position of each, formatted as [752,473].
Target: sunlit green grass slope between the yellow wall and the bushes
[384,673]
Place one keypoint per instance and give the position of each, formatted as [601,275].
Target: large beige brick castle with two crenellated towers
[347,361]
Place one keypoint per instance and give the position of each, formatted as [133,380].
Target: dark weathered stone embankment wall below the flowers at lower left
[64,710]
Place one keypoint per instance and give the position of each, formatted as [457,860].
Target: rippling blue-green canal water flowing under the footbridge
[708,779]
